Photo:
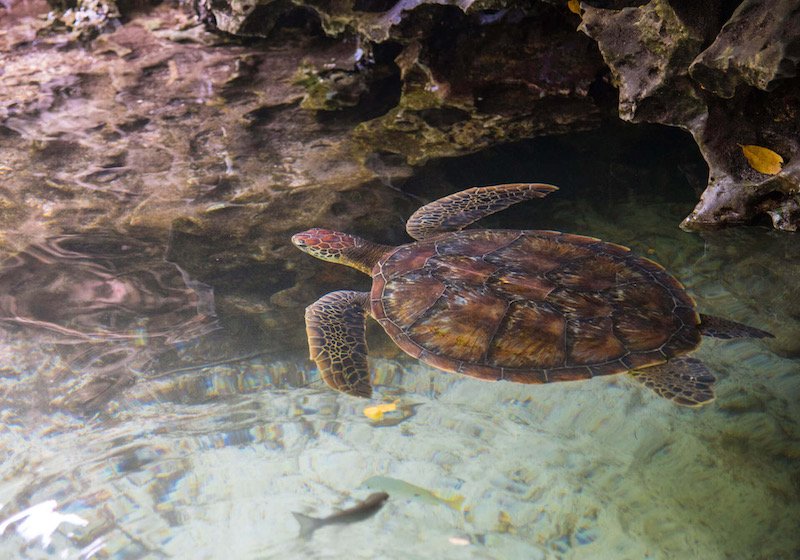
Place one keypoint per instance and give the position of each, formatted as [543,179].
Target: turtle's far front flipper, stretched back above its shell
[460,209]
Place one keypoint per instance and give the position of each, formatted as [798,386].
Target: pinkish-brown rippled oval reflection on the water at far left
[102,287]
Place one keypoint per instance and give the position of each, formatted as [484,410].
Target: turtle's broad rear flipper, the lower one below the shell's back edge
[685,381]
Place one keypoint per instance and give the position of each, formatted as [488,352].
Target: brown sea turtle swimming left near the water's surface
[516,305]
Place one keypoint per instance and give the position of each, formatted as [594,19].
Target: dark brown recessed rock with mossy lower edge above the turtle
[468,84]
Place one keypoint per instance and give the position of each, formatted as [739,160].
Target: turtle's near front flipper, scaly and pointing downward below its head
[337,341]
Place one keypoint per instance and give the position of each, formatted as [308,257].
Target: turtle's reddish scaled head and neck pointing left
[338,247]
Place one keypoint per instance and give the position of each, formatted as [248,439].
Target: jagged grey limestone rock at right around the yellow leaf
[654,52]
